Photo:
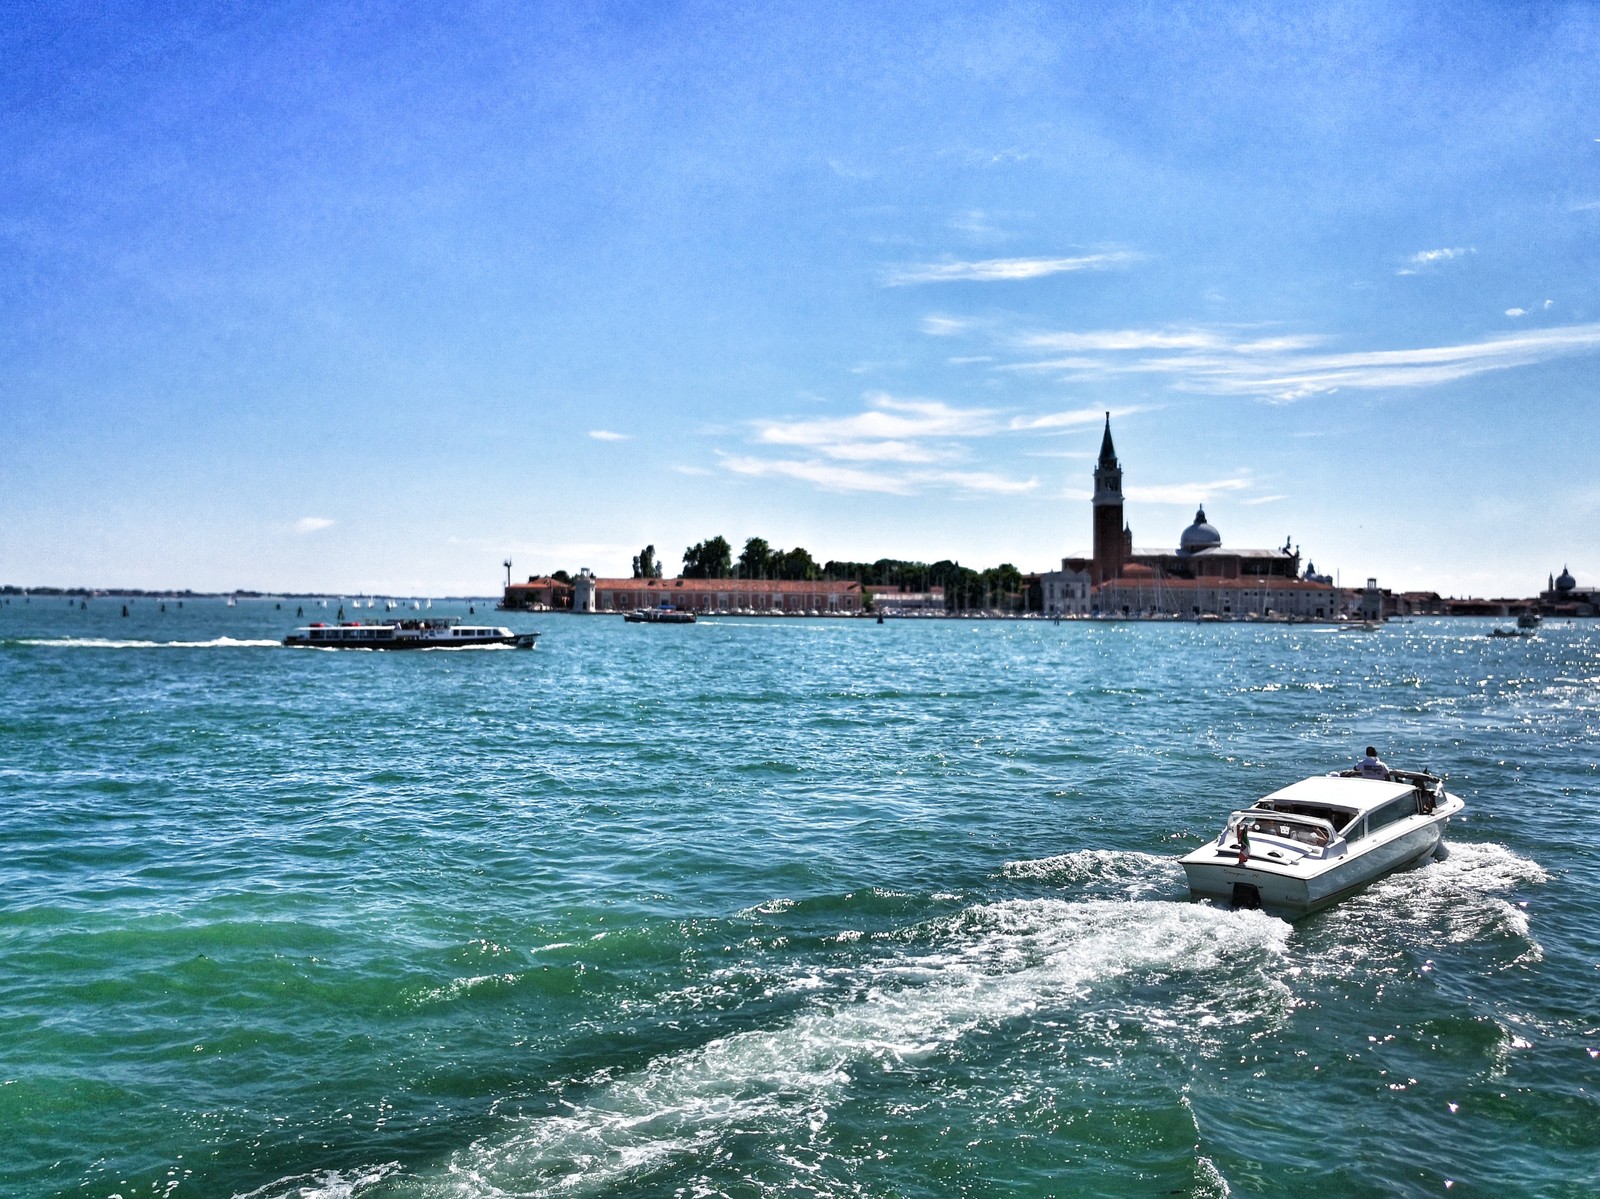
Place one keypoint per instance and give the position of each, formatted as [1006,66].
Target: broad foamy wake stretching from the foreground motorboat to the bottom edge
[1047,963]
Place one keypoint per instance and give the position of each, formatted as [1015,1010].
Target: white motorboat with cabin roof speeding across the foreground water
[1322,840]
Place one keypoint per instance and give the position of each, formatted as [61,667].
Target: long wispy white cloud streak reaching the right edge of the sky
[1286,369]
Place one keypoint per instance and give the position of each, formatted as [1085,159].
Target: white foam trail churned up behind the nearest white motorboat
[998,963]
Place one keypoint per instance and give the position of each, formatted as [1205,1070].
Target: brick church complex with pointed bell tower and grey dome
[1198,579]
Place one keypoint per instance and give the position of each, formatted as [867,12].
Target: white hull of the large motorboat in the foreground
[1308,888]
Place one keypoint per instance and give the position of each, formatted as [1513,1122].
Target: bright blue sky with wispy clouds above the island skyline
[338,297]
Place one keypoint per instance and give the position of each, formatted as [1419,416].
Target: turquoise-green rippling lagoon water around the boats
[778,908]
